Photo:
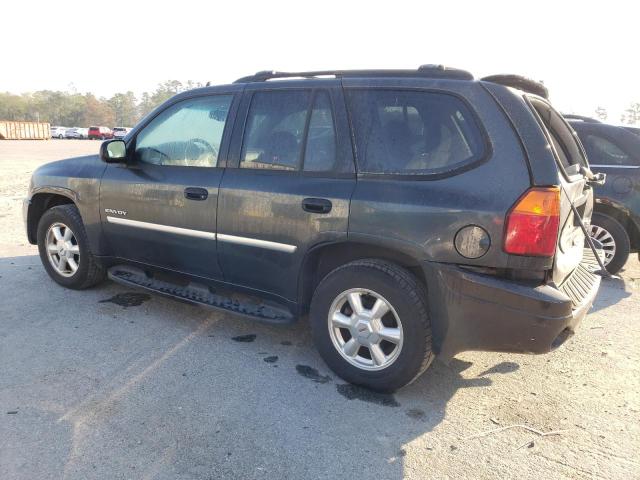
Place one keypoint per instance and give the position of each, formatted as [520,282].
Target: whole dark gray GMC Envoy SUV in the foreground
[409,213]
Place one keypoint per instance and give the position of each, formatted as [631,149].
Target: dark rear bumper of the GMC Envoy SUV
[471,311]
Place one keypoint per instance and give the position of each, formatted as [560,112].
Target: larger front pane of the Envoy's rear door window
[275,130]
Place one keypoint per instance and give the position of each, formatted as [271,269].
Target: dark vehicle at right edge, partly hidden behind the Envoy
[615,224]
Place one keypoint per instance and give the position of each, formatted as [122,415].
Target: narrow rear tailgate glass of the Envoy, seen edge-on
[560,136]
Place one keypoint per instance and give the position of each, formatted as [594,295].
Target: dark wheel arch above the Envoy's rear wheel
[322,259]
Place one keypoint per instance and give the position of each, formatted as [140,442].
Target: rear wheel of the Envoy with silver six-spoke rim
[373,280]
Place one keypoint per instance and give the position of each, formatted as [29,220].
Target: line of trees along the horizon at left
[72,109]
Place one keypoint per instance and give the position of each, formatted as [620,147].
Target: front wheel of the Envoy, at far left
[88,271]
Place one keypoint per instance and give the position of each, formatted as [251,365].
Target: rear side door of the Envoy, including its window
[290,187]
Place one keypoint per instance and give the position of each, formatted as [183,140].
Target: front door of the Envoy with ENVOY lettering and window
[160,208]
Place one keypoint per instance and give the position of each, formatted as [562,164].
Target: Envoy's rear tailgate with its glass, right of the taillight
[574,188]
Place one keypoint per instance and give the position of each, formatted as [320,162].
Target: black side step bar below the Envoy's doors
[202,295]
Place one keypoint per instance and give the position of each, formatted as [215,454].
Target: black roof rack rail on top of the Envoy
[424,71]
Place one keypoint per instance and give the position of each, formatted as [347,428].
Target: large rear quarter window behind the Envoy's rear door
[413,132]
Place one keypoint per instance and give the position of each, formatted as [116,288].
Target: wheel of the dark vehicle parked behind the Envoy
[609,233]
